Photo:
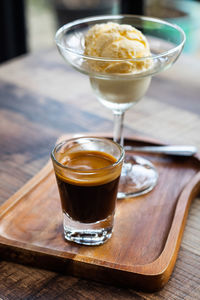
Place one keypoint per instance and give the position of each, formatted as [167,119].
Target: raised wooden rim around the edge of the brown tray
[160,268]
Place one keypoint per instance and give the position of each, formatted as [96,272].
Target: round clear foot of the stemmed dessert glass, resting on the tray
[138,177]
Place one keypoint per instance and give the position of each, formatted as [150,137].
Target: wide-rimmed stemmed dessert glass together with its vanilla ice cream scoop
[120,54]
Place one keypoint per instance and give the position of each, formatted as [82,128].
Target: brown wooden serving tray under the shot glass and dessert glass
[147,231]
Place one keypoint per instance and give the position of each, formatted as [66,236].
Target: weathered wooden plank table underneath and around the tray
[40,99]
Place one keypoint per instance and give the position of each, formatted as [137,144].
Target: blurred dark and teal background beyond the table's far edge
[30,25]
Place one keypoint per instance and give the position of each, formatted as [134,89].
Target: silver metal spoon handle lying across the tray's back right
[170,150]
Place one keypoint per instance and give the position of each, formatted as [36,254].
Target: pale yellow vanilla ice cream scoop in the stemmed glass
[117,41]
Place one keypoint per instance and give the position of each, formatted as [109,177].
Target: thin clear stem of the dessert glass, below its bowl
[118,127]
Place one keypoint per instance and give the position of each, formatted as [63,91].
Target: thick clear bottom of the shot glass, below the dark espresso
[91,234]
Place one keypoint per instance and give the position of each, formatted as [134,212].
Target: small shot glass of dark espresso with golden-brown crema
[87,171]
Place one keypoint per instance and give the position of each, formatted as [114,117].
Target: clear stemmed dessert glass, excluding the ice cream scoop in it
[119,92]
